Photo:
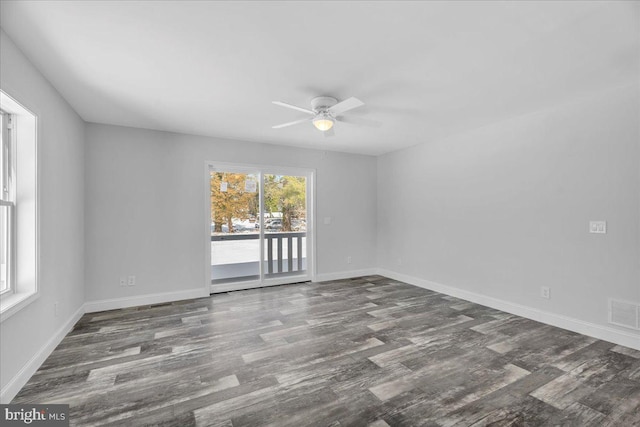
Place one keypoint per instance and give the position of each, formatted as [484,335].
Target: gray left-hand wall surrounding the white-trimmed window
[61,178]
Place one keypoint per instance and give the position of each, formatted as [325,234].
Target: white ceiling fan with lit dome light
[324,112]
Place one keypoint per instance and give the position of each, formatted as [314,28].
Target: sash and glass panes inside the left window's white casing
[7,203]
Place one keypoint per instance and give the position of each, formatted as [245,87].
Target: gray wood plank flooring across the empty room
[366,351]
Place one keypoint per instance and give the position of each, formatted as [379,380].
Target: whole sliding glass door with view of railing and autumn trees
[260,225]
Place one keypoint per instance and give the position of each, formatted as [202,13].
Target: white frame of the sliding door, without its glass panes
[262,170]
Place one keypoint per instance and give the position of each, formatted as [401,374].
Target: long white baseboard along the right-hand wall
[627,339]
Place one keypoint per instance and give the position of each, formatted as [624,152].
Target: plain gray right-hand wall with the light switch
[504,209]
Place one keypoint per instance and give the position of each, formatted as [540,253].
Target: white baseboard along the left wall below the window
[11,389]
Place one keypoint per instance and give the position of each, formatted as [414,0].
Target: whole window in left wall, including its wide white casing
[18,207]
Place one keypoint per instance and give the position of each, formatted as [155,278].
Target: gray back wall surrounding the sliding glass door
[145,207]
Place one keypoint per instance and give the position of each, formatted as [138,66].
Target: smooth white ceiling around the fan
[425,70]
